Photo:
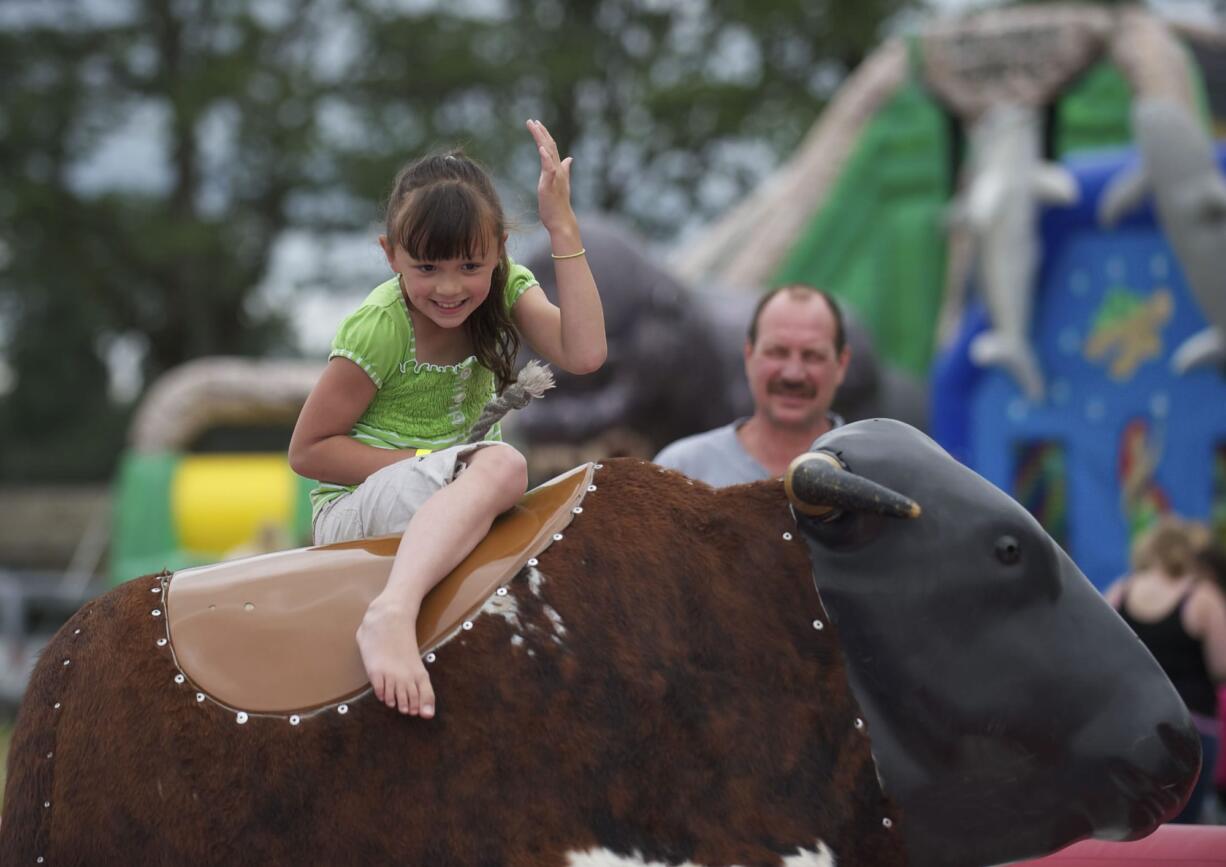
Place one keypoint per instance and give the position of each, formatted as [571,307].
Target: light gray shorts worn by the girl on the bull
[384,503]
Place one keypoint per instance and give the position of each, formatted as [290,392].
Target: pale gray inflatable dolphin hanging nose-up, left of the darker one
[1007,185]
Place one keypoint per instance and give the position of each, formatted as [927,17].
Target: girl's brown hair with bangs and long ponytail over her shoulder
[444,207]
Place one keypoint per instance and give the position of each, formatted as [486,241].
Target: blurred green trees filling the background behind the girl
[245,120]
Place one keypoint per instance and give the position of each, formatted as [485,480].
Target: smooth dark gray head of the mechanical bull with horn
[1011,711]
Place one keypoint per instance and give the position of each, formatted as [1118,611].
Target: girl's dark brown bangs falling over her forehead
[446,221]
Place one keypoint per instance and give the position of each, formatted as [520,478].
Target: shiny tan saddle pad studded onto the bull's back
[275,633]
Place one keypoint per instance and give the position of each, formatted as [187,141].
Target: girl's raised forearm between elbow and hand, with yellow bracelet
[583,318]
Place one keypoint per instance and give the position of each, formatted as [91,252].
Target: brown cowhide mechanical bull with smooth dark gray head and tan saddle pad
[685,676]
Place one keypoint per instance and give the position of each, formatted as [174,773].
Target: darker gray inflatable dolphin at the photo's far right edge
[1179,167]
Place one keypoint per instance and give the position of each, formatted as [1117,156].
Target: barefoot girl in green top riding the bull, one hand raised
[410,372]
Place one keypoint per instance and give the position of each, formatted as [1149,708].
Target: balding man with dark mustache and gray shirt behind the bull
[796,356]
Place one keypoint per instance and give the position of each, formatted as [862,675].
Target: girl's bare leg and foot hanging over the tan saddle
[441,534]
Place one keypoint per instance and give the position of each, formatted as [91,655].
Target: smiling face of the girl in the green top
[447,291]
